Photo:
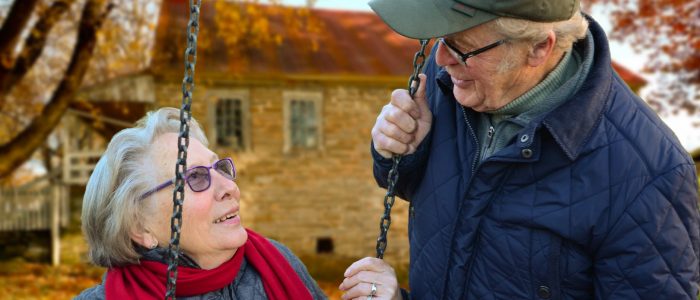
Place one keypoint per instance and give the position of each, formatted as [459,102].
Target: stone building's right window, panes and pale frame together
[303,125]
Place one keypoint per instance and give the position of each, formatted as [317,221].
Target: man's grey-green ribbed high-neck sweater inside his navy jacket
[497,128]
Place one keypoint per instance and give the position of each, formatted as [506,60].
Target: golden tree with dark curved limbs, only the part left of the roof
[47,48]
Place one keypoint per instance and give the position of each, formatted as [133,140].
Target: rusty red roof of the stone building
[349,43]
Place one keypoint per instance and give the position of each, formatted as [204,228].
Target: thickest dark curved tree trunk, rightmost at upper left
[21,147]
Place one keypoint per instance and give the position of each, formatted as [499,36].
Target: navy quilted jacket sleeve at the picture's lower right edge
[652,247]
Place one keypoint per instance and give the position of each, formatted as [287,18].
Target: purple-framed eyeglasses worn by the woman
[199,178]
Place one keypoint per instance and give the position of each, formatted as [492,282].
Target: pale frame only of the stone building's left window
[213,97]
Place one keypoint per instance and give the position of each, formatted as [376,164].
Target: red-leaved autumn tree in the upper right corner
[669,30]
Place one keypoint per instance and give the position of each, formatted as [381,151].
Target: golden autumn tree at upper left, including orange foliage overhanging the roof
[44,64]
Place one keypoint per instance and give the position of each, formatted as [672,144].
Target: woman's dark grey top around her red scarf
[247,285]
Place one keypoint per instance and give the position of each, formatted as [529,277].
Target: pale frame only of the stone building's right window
[313,96]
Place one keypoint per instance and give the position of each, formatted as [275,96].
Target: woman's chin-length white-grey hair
[111,205]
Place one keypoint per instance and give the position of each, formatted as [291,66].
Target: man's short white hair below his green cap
[567,32]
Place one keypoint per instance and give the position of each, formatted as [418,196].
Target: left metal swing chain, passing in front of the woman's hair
[183,142]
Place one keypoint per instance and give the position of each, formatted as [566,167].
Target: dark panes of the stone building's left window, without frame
[229,123]
